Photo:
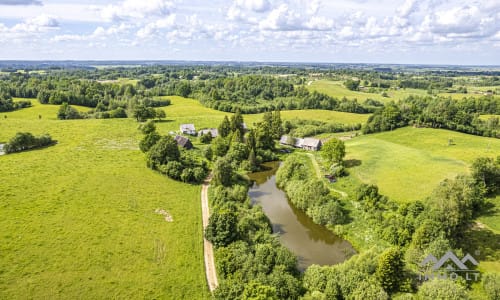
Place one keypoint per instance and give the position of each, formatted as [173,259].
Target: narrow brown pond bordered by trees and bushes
[312,243]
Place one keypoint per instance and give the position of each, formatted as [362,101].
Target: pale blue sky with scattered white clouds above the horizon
[335,31]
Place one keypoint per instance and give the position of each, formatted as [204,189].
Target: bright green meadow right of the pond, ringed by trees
[408,163]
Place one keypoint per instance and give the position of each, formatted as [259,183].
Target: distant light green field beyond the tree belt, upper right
[338,90]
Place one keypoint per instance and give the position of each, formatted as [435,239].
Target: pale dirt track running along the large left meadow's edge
[208,250]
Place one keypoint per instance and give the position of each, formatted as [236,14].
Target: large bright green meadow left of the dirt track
[78,218]
